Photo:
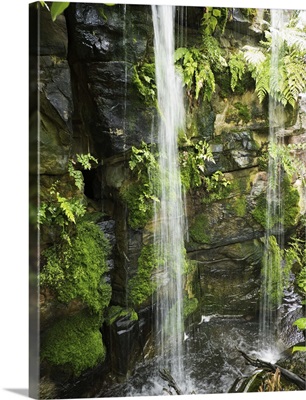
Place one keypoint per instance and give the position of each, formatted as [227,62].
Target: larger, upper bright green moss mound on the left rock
[75,269]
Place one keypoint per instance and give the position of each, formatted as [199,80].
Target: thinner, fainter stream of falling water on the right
[271,289]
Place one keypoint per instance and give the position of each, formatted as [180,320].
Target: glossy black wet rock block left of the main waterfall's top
[106,43]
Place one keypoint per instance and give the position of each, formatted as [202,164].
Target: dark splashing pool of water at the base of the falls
[211,361]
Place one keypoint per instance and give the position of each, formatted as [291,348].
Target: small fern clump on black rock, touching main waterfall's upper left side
[144,79]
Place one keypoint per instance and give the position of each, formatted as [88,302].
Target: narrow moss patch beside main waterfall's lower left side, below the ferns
[141,287]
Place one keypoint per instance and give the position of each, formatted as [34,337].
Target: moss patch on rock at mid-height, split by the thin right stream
[291,210]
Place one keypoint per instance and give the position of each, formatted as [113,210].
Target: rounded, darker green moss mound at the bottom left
[74,343]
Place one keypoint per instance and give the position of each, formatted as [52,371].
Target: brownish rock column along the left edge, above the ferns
[56,105]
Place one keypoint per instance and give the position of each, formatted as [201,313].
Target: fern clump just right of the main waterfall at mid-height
[192,159]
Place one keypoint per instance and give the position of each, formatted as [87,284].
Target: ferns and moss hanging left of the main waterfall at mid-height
[141,193]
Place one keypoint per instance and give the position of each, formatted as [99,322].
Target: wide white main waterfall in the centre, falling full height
[169,217]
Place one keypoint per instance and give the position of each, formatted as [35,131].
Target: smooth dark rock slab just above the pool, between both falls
[238,264]
